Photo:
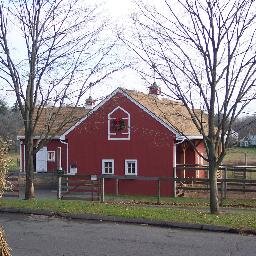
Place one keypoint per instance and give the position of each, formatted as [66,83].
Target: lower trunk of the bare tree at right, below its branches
[214,202]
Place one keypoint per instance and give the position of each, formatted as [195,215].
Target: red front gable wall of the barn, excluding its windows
[150,143]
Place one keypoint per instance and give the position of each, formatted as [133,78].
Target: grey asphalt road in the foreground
[31,235]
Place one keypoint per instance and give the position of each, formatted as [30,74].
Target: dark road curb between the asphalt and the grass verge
[137,221]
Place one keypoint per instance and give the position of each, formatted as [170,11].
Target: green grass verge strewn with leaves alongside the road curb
[239,219]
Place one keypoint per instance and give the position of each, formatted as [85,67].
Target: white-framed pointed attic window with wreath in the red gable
[119,124]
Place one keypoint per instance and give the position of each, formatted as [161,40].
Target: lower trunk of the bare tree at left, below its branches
[29,165]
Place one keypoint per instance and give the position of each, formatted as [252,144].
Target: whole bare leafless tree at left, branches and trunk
[61,52]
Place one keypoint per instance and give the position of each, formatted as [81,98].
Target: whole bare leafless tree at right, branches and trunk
[204,53]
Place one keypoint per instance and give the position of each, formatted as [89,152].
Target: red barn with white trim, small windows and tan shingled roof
[128,134]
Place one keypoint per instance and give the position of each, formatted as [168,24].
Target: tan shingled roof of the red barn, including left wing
[57,121]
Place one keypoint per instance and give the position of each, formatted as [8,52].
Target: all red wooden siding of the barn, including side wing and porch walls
[120,130]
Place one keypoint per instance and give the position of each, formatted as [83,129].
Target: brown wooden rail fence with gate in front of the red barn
[95,185]
